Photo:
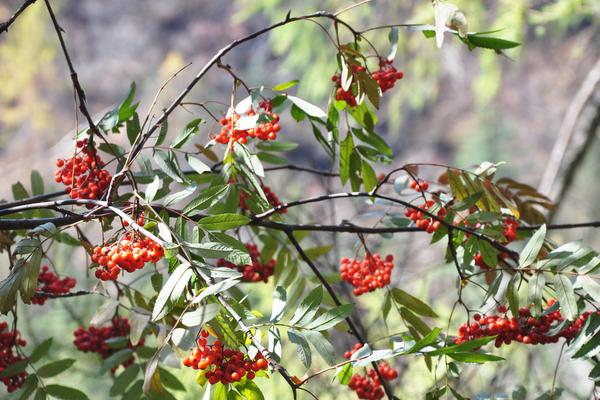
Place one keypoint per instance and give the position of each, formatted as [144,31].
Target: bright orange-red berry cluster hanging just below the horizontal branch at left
[129,253]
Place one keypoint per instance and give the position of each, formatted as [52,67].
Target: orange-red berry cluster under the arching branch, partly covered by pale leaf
[263,131]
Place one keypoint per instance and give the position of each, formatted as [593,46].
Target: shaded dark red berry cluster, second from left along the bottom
[94,339]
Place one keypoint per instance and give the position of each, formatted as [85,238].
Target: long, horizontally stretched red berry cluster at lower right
[525,328]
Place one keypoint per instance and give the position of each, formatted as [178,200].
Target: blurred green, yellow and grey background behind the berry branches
[454,107]
